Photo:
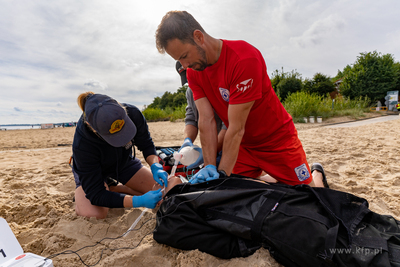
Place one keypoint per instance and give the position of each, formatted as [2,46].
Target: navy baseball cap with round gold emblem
[109,119]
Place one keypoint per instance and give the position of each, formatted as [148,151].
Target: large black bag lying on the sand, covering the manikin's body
[299,225]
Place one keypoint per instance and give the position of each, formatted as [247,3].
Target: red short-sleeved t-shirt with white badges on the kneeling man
[240,76]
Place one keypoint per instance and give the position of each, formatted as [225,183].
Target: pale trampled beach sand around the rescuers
[36,196]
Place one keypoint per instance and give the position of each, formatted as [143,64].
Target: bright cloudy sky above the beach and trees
[51,51]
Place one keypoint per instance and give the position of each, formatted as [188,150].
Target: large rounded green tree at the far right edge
[372,75]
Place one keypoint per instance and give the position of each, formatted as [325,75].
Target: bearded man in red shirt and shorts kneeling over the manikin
[231,78]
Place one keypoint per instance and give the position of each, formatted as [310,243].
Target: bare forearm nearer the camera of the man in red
[237,116]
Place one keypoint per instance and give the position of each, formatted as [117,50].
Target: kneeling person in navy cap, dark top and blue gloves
[102,158]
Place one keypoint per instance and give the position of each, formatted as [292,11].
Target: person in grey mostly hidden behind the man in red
[191,122]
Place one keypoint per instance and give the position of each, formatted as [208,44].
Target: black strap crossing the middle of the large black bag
[270,203]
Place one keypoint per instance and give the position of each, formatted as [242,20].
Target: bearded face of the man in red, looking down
[189,55]
